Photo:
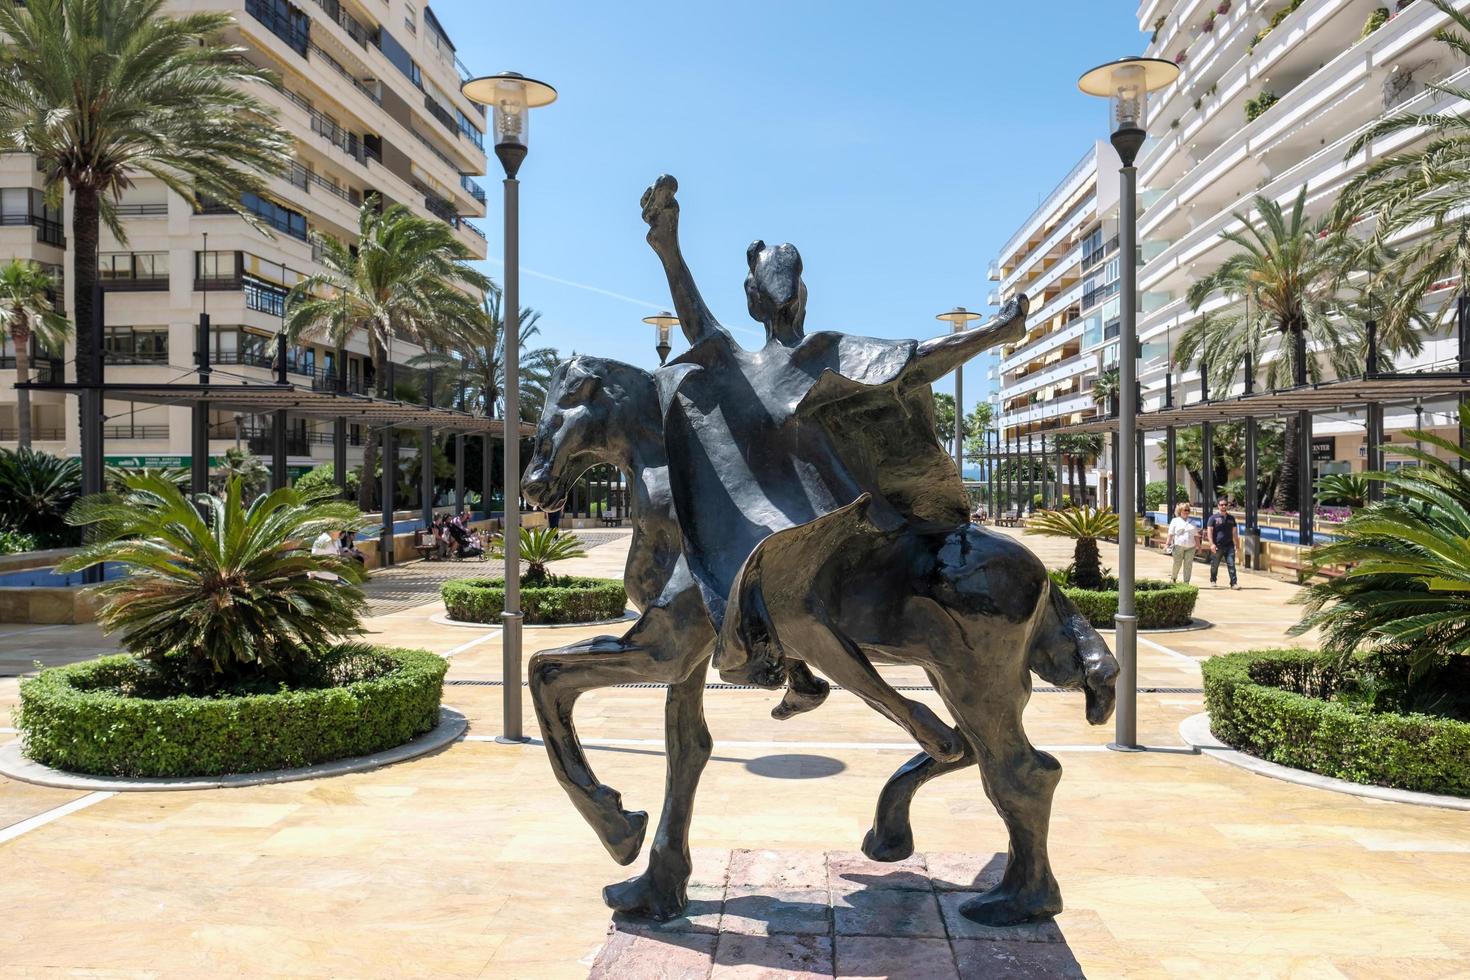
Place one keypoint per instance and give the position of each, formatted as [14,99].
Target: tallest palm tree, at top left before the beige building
[102,92]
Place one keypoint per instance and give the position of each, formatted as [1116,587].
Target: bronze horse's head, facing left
[593,411]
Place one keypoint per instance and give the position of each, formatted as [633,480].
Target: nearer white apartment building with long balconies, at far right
[1271,96]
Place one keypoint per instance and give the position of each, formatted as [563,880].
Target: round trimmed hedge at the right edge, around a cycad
[1272,703]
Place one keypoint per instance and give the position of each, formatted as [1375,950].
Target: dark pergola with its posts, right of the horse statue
[1369,392]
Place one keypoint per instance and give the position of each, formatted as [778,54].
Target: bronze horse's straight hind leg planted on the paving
[1019,782]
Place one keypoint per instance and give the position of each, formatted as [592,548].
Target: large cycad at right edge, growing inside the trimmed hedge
[1405,596]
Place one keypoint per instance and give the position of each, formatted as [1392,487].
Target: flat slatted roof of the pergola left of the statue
[261,399]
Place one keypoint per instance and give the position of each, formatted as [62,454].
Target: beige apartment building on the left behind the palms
[370,90]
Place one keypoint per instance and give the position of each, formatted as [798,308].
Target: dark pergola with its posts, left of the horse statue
[343,408]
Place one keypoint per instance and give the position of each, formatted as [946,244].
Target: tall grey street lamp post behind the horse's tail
[1127,84]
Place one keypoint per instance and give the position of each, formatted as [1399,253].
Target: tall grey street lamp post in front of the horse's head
[511,98]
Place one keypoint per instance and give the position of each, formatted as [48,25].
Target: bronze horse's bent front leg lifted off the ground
[655,650]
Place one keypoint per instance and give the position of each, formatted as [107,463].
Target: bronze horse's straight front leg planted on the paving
[659,893]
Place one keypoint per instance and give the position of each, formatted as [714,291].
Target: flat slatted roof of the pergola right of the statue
[1330,396]
